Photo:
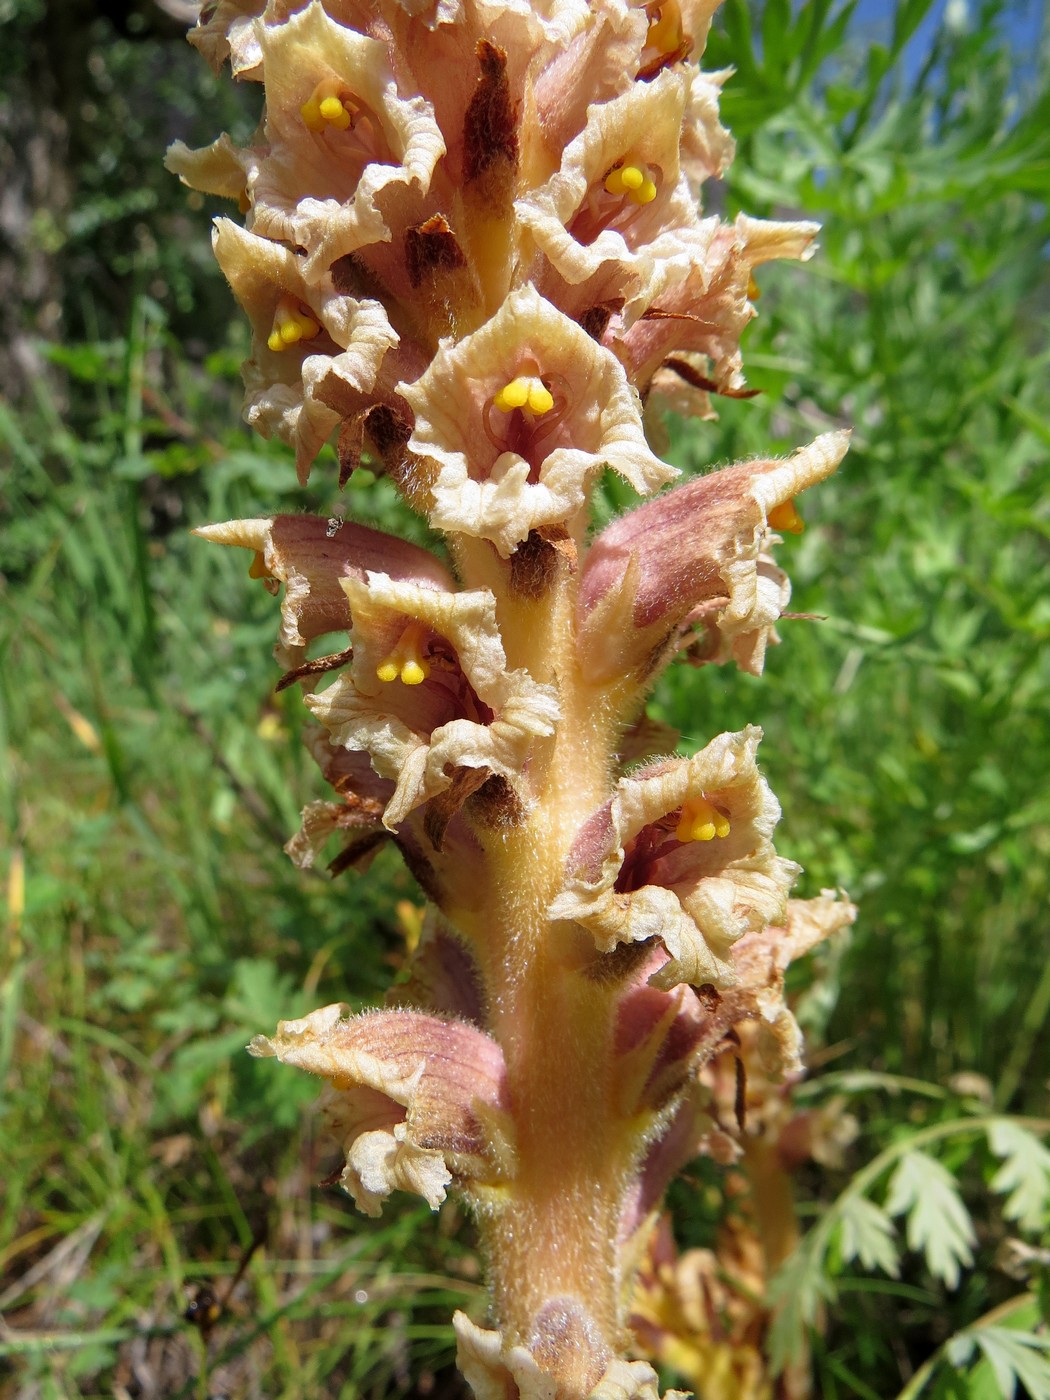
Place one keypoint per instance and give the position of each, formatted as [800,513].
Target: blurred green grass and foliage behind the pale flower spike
[150,773]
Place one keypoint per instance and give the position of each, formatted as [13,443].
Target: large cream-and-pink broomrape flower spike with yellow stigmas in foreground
[474,248]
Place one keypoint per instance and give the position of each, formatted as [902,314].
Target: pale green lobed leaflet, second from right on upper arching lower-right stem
[939,1224]
